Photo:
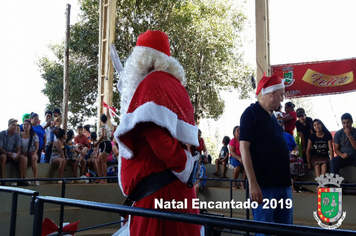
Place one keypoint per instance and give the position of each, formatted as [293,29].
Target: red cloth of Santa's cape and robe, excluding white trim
[155,150]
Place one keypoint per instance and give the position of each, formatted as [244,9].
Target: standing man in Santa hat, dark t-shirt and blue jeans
[265,153]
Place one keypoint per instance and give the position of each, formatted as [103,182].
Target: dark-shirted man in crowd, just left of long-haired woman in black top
[304,127]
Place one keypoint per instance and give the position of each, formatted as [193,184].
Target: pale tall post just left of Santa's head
[107,23]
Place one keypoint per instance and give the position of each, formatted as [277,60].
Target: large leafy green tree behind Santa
[204,37]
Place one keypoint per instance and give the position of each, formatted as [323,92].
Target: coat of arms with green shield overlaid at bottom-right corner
[329,202]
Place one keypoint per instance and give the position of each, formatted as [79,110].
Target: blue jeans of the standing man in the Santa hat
[276,213]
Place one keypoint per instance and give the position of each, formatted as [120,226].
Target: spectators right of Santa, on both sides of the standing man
[316,151]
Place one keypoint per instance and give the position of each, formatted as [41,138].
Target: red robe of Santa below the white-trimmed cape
[154,152]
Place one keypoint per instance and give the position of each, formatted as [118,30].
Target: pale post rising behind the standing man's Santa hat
[262,39]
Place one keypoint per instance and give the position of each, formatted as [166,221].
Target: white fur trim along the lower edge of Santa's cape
[161,116]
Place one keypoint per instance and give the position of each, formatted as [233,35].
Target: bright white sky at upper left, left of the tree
[27,28]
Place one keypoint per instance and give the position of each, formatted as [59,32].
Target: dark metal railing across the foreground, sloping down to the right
[209,222]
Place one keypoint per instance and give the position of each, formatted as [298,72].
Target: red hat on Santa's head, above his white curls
[157,40]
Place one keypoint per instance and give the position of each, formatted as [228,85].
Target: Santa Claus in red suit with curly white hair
[154,135]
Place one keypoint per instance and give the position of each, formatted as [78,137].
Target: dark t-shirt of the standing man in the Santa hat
[268,147]
